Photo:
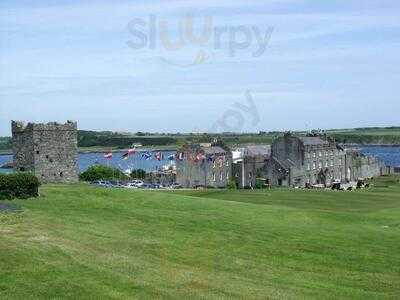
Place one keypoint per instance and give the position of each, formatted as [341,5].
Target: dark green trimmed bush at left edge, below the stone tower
[18,185]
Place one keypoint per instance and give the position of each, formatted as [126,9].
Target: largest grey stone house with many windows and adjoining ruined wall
[316,159]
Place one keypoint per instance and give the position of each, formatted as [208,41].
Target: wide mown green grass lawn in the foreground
[83,242]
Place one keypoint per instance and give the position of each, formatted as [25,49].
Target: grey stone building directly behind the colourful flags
[203,165]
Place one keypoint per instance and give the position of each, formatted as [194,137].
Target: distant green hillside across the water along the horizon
[90,139]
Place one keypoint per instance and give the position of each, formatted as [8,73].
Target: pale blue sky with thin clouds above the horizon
[329,64]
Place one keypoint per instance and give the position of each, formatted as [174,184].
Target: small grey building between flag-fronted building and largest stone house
[249,164]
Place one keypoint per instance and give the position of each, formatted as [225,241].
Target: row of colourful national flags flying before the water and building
[146,155]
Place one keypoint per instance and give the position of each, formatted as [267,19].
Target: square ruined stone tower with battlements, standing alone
[49,150]
